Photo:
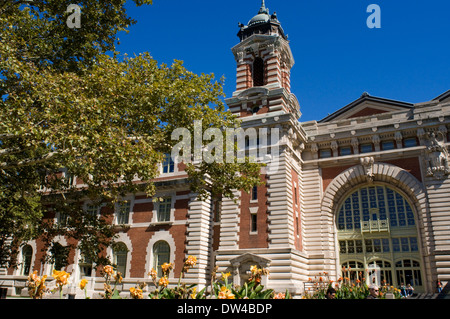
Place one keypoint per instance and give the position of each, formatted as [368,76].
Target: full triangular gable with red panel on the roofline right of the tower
[367,105]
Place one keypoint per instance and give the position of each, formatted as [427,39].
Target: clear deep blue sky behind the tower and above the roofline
[337,57]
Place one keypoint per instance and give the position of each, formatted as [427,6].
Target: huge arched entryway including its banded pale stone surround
[378,214]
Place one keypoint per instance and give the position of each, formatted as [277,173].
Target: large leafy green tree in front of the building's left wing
[72,106]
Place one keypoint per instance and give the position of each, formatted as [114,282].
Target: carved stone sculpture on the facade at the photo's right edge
[436,156]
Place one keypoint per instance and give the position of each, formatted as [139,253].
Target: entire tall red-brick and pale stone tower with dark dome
[263,228]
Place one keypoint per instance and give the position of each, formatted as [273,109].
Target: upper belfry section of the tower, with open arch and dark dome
[264,61]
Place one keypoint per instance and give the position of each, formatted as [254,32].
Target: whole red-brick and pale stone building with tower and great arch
[366,187]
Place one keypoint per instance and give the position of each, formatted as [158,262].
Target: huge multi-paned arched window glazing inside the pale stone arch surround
[377,230]
